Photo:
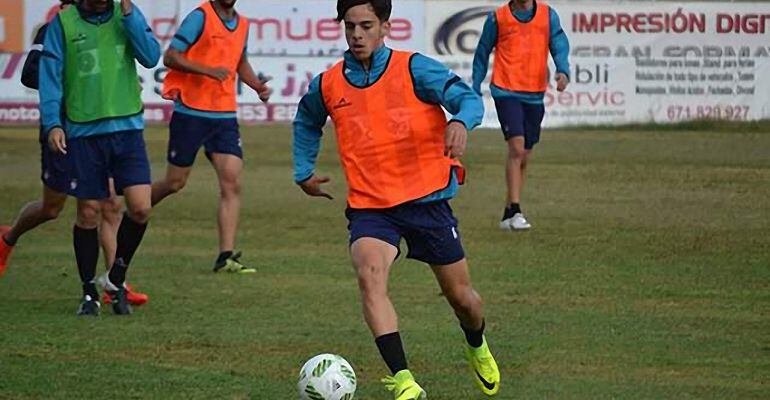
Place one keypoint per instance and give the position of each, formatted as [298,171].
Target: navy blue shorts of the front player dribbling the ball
[430,230]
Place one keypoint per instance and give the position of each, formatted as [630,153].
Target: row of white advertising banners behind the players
[629,61]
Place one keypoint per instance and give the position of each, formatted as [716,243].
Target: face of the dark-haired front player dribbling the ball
[364,31]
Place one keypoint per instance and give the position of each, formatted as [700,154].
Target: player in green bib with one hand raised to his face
[88,69]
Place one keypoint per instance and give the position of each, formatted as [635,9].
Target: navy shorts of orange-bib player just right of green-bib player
[188,133]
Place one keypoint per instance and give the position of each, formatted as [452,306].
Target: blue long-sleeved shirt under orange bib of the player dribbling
[433,83]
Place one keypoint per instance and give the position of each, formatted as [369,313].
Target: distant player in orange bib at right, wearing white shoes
[521,32]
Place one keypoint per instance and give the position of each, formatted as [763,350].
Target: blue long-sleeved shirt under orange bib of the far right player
[558,46]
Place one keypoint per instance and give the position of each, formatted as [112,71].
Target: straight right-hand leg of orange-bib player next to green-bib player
[223,149]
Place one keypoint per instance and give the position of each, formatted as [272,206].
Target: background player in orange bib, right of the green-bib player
[206,54]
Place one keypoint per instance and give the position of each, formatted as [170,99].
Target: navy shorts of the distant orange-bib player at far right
[520,119]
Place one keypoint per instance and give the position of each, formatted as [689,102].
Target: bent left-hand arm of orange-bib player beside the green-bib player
[189,32]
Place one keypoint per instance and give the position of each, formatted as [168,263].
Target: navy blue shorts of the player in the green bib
[93,160]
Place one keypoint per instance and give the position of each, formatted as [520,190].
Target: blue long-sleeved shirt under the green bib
[146,51]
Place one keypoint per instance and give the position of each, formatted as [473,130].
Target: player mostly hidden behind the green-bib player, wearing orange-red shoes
[55,181]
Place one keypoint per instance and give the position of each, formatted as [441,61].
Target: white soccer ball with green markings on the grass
[327,377]
